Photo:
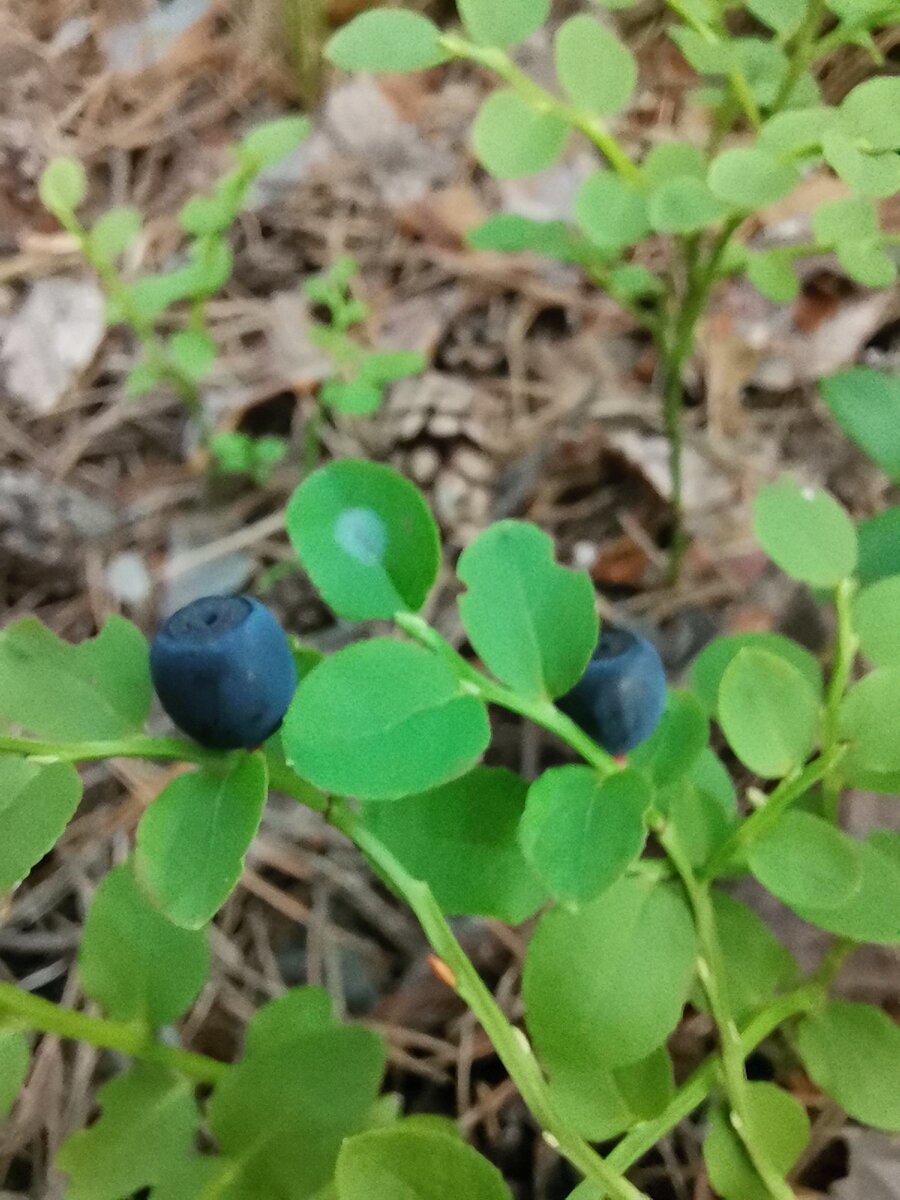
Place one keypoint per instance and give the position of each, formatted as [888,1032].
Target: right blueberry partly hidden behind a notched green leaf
[620,699]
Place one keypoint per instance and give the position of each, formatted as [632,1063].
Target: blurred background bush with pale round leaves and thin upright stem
[769,129]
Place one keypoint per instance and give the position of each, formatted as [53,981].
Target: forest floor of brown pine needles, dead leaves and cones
[539,403]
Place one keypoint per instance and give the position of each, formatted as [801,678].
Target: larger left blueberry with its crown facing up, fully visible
[224,671]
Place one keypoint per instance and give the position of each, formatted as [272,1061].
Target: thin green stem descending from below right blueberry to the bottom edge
[711,969]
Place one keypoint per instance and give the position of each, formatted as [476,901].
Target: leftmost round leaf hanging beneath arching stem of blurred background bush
[512,140]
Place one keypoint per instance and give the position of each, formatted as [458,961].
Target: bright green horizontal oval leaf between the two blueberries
[383,719]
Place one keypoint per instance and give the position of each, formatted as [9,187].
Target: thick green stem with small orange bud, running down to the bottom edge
[512,1047]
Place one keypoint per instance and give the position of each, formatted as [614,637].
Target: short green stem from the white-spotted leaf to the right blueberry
[541,712]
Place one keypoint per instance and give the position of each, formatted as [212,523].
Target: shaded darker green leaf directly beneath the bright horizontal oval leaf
[461,839]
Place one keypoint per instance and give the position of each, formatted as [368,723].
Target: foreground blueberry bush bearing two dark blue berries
[622,859]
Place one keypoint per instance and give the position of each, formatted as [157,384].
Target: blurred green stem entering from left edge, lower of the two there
[41,1015]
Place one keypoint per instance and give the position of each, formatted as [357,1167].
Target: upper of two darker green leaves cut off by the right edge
[867,406]
